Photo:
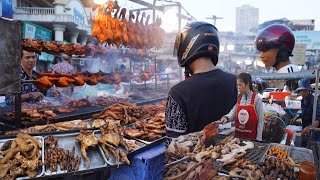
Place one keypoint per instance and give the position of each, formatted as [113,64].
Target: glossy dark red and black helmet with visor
[276,36]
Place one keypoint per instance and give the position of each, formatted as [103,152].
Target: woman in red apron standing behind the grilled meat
[248,113]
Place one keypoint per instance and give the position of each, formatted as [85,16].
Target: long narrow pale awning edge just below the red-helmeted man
[285,76]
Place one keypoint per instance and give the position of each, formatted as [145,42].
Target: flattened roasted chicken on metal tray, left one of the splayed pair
[87,139]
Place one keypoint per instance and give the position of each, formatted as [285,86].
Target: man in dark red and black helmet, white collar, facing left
[275,44]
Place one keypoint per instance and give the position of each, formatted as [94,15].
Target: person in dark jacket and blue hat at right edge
[305,90]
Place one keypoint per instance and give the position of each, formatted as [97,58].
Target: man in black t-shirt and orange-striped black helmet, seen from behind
[207,93]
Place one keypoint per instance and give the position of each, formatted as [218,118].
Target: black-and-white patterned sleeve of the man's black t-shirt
[176,119]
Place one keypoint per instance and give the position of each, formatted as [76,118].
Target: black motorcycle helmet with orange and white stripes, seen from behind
[195,40]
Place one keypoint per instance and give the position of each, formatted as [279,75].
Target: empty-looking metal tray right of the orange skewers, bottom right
[301,154]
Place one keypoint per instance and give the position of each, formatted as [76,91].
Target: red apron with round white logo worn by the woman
[246,120]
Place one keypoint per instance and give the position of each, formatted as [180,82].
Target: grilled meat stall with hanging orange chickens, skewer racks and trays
[80,137]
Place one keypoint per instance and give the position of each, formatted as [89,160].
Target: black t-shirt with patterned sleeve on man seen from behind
[203,98]
